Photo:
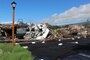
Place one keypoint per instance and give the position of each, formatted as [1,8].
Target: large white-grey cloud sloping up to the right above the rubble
[73,14]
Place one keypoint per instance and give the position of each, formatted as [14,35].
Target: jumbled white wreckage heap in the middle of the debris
[37,32]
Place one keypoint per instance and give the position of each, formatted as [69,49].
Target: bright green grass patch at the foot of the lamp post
[7,52]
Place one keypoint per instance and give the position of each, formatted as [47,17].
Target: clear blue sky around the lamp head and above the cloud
[36,10]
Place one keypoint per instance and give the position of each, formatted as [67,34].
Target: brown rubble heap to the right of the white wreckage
[68,31]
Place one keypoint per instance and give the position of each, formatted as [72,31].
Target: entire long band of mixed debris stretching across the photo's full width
[46,31]
